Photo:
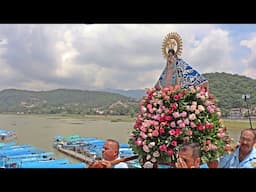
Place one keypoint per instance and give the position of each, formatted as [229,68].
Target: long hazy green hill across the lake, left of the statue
[61,101]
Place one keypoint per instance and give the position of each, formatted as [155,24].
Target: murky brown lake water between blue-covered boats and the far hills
[39,131]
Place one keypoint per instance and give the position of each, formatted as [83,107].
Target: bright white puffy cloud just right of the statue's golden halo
[213,53]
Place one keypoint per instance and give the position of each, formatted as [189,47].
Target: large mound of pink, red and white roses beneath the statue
[171,116]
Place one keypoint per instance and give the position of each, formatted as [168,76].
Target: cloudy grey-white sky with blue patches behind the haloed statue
[117,56]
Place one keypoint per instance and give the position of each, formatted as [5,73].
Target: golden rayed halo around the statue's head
[172,41]
